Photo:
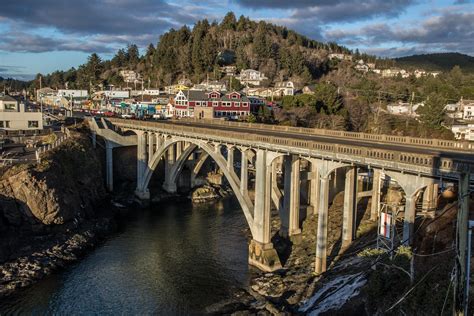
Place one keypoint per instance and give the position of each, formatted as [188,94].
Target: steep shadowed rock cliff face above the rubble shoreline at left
[50,197]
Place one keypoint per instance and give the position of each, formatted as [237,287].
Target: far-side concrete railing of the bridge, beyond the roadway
[405,140]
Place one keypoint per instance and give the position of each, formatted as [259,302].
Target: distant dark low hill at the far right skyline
[441,61]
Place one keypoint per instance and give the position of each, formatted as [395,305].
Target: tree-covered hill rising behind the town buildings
[198,52]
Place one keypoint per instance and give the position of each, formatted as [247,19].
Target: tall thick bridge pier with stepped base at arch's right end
[261,251]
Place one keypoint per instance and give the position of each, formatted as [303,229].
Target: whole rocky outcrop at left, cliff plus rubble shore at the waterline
[46,207]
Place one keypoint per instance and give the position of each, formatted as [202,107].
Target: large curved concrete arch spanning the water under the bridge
[244,201]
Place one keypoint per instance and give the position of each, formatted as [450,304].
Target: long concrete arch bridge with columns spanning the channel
[294,167]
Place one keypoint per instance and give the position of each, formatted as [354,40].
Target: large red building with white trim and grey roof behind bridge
[231,104]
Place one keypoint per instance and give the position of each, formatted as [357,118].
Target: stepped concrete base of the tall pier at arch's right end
[263,256]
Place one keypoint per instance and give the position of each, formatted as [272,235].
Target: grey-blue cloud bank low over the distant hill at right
[449,31]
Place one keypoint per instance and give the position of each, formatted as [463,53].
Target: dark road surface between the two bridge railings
[336,140]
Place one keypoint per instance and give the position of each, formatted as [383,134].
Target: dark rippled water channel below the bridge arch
[174,258]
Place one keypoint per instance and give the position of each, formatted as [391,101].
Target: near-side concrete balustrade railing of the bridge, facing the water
[410,159]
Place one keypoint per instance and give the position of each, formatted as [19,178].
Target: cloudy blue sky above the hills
[48,35]
